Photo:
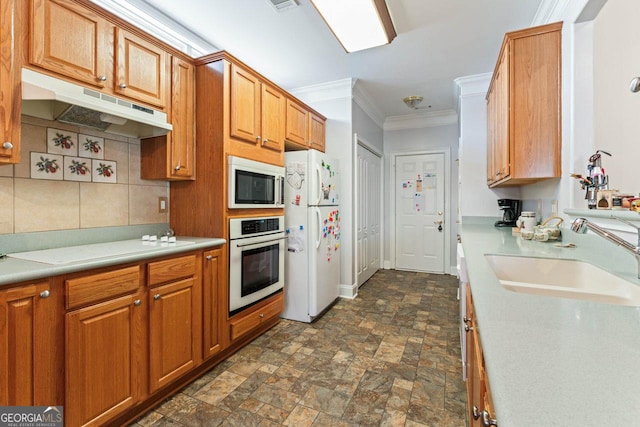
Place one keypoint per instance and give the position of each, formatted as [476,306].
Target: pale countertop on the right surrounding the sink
[553,361]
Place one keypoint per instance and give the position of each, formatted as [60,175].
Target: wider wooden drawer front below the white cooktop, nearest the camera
[97,287]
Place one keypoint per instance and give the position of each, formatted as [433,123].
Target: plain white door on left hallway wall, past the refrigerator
[369,179]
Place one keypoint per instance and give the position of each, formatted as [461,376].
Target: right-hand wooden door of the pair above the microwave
[274,106]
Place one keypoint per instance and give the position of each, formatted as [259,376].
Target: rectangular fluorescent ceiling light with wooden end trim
[357,24]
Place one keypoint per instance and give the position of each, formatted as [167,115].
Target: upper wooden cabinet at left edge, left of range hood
[10,99]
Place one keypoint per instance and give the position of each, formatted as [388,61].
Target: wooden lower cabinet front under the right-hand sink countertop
[479,402]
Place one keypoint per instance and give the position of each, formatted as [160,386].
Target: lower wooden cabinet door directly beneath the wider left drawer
[104,360]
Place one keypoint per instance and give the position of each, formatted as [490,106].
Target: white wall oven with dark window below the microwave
[256,260]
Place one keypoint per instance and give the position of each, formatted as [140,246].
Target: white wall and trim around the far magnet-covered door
[414,140]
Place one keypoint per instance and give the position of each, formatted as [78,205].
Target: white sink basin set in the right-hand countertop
[563,278]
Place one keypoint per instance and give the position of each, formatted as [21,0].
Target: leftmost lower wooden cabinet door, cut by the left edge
[30,332]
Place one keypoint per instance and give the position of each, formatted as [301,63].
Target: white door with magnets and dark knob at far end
[419,205]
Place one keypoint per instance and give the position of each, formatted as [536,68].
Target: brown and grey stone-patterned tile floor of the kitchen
[390,357]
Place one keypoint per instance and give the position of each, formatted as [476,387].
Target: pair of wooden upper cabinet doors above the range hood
[71,40]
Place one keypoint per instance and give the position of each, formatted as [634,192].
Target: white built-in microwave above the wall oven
[255,184]
